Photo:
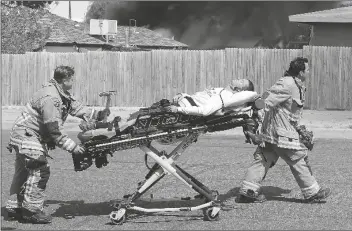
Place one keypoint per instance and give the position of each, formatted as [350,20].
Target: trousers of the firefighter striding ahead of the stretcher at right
[266,157]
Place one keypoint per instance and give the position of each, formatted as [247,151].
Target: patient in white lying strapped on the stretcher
[214,101]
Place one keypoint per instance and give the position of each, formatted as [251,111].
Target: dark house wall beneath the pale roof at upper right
[332,34]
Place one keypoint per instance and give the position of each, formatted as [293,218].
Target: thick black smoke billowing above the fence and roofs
[204,25]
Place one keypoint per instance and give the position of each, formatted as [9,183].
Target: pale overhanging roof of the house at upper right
[337,15]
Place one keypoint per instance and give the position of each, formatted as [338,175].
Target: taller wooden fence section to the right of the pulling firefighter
[330,82]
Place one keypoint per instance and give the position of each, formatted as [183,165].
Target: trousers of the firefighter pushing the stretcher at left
[29,183]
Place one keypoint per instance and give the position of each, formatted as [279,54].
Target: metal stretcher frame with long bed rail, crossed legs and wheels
[165,165]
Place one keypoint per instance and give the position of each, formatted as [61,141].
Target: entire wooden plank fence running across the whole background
[141,78]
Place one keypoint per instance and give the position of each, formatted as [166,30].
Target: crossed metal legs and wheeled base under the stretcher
[165,165]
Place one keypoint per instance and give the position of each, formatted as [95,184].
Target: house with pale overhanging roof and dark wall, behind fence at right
[329,27]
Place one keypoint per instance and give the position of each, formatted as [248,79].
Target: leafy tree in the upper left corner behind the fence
[21,30]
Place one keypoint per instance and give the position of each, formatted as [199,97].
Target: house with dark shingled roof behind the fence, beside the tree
[68,35]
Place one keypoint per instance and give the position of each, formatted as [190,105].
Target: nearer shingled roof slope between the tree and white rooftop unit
[64,30]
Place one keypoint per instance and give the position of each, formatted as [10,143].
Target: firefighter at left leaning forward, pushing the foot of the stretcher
[38,129]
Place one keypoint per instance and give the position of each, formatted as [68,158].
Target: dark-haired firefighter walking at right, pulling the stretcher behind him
[280,137]
